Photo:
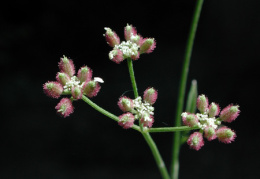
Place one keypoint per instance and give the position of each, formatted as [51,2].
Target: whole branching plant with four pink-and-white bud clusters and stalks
[138,113]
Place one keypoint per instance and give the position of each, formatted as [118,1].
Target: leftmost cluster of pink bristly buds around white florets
[68,83]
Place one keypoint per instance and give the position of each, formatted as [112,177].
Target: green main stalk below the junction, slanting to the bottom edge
[156,155]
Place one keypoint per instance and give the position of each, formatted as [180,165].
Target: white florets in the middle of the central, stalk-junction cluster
[143,110]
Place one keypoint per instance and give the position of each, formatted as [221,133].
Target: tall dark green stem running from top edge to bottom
[180,102]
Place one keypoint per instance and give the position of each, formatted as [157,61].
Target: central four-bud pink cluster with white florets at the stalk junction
[136,109]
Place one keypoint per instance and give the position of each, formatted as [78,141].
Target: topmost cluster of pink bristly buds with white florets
[133,47]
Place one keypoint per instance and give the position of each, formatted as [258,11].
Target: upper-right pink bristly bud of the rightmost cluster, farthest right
[229,113]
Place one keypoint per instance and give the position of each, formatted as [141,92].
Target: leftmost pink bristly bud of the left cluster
[53,89]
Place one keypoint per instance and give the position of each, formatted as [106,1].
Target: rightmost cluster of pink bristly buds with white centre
[209,123]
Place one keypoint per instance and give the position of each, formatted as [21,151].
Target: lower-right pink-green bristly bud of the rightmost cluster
[225,135]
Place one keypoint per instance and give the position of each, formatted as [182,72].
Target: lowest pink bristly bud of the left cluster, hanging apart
[64,107]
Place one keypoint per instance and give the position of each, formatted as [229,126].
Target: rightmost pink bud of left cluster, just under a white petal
[91,88]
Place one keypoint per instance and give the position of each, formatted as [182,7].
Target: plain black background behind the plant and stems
[37,143]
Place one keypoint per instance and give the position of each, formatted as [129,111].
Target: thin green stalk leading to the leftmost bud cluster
[106,113]
